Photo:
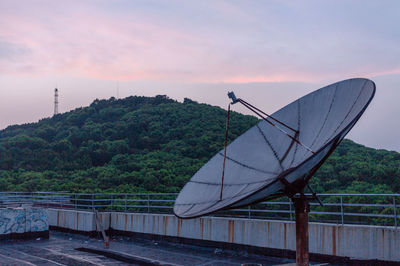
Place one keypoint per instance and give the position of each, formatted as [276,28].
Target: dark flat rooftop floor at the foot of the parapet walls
[60,249]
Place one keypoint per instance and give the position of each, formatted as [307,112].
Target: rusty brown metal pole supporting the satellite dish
[302,208]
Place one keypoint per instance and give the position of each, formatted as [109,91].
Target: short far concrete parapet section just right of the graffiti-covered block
[83,221]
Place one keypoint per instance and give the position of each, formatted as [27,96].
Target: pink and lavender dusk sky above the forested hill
[268,52]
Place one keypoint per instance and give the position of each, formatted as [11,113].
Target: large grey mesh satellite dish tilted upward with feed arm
[279,155]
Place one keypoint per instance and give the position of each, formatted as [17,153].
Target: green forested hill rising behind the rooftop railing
[155,144]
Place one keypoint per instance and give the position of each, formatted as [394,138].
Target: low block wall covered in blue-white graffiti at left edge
[23,221]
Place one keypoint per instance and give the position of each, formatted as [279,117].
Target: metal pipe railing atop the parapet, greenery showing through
[371,209]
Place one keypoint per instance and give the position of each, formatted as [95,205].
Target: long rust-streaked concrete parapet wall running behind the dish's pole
[354,241]
